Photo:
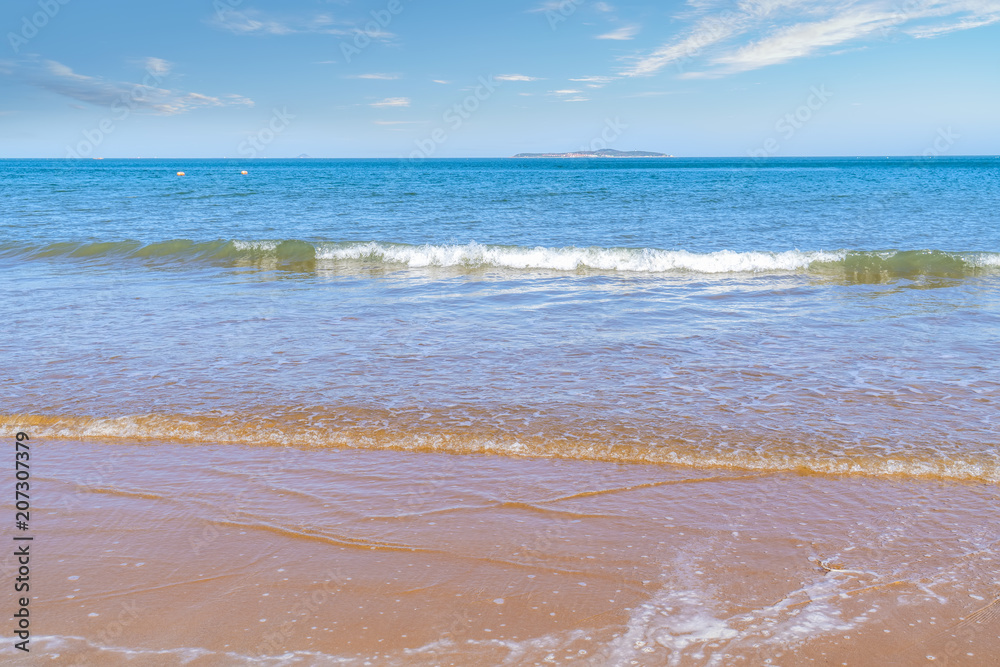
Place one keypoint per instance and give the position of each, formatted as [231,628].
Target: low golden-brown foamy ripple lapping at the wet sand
[379,431]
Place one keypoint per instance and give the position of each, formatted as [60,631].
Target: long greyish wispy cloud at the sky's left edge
[146,94]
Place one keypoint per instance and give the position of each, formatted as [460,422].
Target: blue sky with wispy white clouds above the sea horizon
[443,78]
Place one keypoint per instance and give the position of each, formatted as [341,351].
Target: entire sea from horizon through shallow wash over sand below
[520,412]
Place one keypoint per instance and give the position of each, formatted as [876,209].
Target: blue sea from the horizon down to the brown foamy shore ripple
[829,315]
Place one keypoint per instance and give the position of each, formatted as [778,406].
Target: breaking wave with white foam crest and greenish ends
[292,254]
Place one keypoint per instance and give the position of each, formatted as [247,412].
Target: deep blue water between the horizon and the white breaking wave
[699,205]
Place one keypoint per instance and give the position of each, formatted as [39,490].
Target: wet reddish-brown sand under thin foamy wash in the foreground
[162,554]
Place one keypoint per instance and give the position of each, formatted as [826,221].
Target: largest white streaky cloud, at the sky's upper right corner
[759,33]
